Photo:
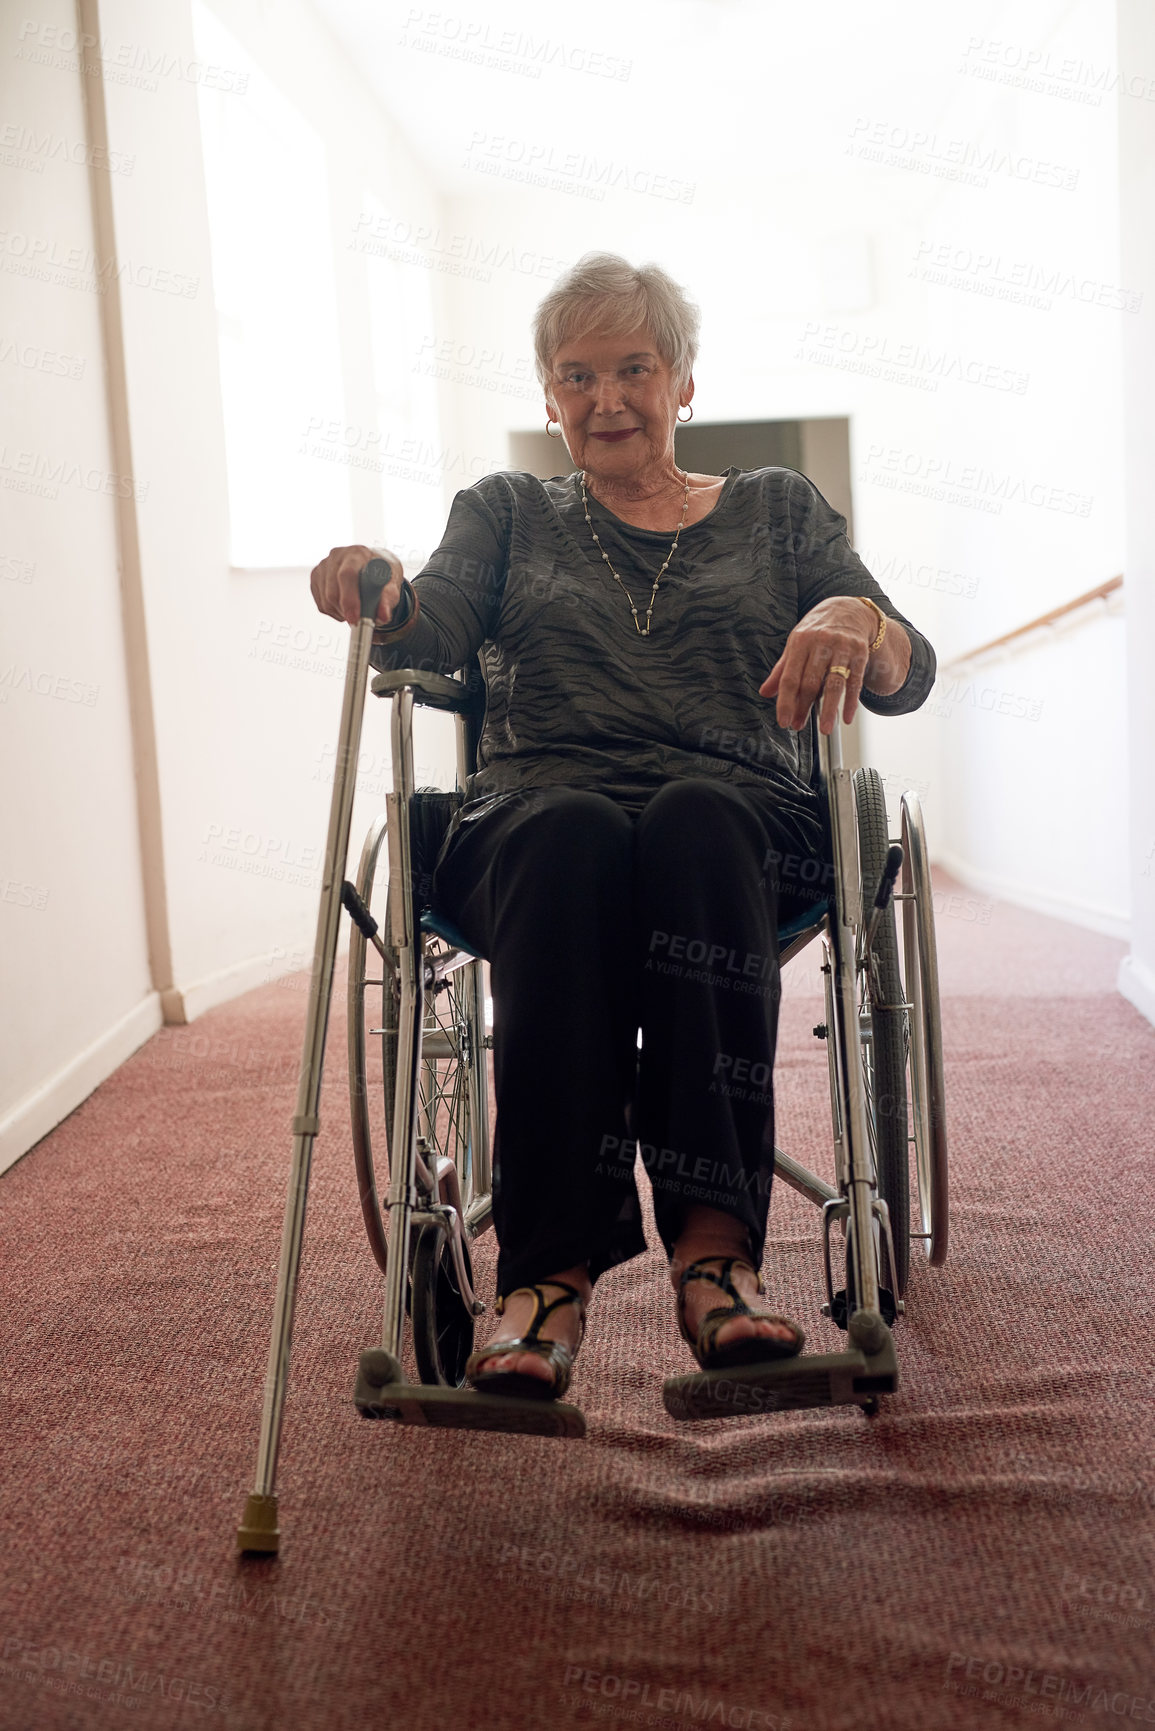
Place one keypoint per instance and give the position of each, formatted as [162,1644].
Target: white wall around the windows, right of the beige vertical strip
[242,737]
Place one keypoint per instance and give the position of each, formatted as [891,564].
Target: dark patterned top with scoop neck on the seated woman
[576,697]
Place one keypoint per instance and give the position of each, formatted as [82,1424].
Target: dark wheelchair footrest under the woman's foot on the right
[827,1379]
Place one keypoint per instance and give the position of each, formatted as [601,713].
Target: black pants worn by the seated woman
[597,925]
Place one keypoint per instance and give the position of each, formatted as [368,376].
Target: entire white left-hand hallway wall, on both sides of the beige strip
[243,674]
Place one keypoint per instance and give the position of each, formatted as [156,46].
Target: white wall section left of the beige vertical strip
[77,996]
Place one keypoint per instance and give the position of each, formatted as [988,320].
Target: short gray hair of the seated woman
[609,295]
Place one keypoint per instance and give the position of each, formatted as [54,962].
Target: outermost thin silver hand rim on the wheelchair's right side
[927,1086]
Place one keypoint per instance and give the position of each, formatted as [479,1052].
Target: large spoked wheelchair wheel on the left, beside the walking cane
[451,1046]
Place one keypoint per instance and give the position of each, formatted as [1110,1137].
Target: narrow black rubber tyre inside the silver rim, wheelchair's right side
[884,1033]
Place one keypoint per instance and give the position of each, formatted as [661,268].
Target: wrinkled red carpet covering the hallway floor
[979,1555]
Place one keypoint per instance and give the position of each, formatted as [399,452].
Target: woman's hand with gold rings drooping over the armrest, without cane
[839,633]
